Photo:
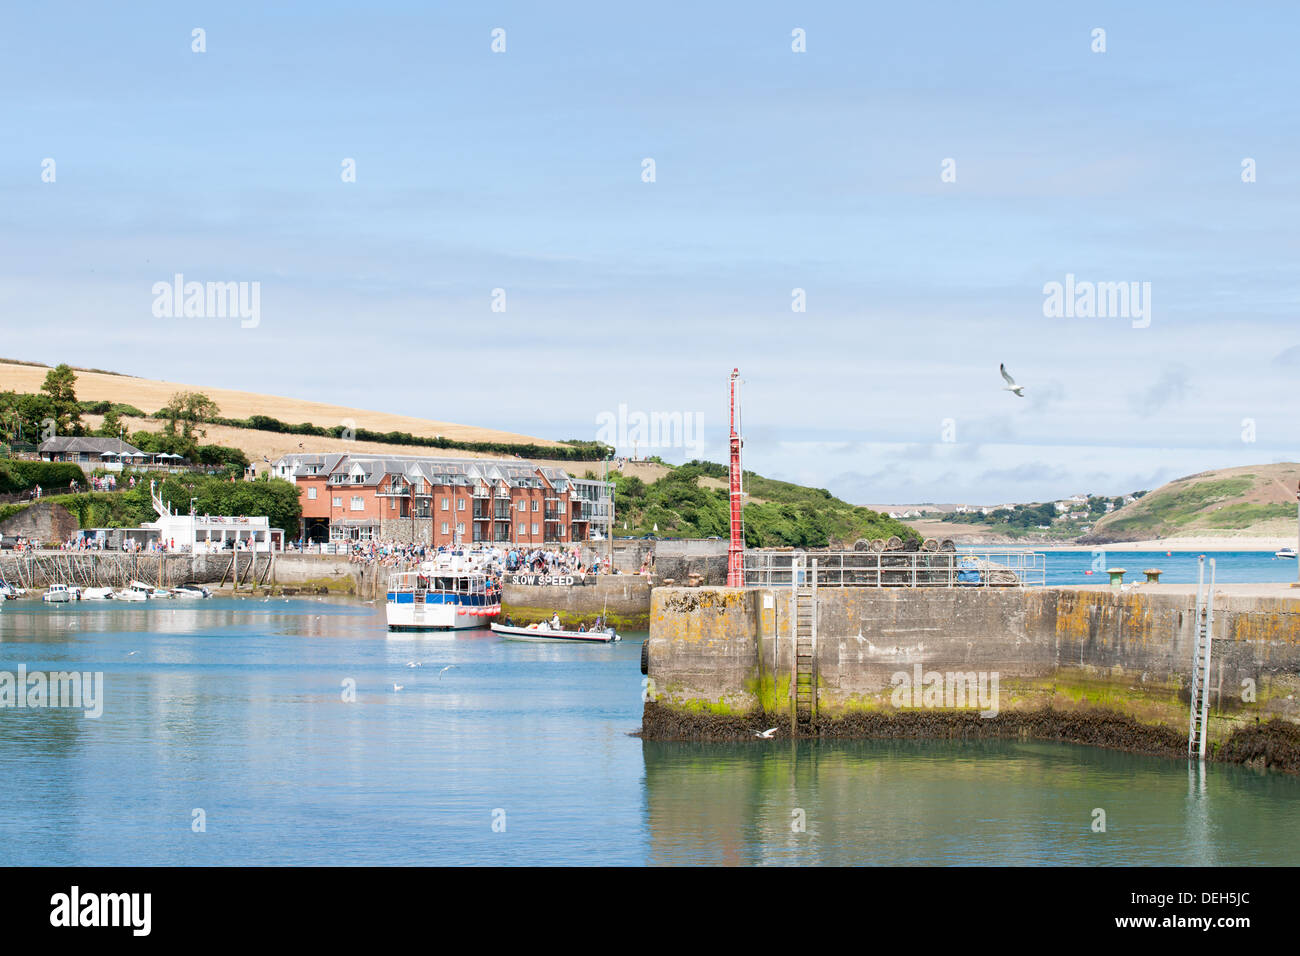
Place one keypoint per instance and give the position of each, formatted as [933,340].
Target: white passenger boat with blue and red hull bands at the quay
[456,591]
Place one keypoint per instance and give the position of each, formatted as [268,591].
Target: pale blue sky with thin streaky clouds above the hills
[866,228]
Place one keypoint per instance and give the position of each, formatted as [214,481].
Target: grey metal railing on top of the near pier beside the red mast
[961,569]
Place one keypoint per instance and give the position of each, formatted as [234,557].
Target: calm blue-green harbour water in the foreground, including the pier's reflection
[522,754]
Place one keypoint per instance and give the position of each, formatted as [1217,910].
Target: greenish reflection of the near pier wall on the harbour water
[956,803]
